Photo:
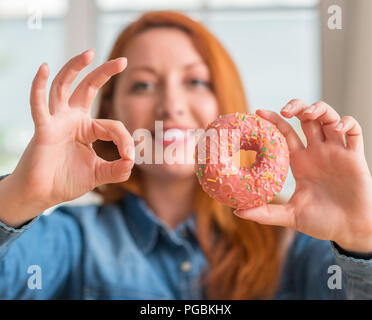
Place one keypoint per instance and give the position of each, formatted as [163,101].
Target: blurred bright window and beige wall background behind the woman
[308,49]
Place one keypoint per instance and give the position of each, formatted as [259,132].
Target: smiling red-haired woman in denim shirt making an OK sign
[158,235]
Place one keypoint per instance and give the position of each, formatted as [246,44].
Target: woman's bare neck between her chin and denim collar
[172,201]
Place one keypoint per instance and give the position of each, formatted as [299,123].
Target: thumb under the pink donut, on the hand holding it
[271,214]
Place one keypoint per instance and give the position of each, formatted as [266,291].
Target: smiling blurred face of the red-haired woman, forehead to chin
[166,80]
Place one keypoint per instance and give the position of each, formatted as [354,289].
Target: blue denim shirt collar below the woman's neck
[145,226]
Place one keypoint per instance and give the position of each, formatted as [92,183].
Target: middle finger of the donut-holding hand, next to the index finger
[311,128]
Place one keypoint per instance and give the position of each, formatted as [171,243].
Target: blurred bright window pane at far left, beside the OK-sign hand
[31,32]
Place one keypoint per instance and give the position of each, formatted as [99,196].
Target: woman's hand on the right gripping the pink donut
[333,195]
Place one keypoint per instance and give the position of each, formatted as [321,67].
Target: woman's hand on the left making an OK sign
[60,164]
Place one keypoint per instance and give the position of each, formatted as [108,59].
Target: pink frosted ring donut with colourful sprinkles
[242,187]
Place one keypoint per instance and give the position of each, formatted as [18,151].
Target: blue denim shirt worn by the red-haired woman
[123,251]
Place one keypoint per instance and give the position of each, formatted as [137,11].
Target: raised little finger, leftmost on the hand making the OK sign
[39,107]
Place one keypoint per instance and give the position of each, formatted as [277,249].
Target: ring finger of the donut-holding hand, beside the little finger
[328,117]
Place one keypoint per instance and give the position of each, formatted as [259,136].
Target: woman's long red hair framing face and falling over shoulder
[243,256]
